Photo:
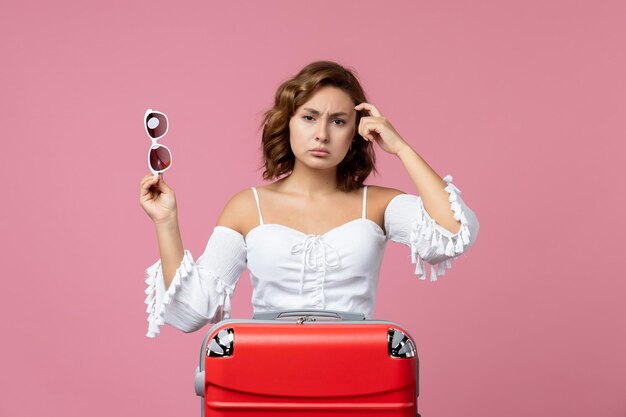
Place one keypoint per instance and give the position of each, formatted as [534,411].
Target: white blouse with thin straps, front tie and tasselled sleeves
[292,270]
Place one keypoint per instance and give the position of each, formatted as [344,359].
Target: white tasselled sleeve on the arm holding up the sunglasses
[200,292]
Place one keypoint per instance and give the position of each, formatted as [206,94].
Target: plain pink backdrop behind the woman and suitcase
[523,102]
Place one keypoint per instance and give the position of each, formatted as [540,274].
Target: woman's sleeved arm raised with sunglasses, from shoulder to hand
[182,292]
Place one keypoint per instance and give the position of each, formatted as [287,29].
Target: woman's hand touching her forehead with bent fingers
[376,127]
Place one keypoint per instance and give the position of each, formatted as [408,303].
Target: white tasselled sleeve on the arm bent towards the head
[407,222]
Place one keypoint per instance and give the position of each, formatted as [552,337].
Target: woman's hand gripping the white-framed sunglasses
[157,199]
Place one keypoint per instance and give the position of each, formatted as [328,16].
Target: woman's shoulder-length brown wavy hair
[279,160]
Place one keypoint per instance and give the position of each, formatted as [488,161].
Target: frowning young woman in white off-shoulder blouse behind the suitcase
[315,237]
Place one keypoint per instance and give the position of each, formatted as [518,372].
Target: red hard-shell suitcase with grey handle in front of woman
[311,363]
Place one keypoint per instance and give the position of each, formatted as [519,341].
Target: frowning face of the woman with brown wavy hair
[322,129]
